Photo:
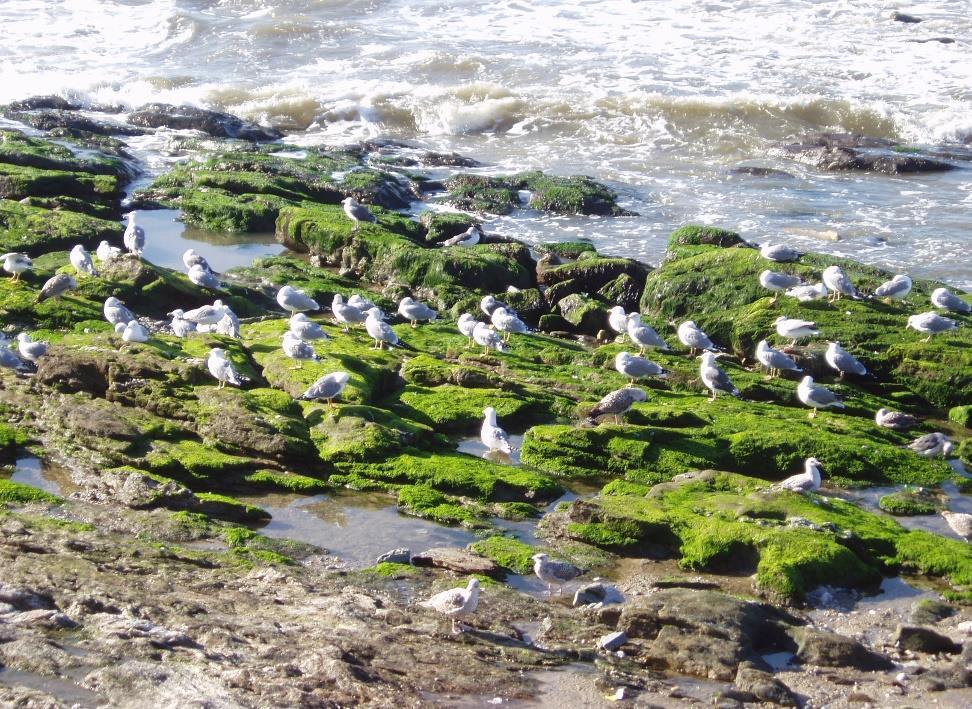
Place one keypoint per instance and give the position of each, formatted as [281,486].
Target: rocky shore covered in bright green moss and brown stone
[151,584]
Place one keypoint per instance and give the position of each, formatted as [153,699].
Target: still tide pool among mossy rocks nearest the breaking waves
[167,238]
